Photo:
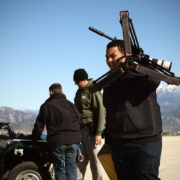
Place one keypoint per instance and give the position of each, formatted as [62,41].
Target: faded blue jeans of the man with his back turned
[64,162]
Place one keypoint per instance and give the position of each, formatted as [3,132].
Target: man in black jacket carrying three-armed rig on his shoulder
[133,120]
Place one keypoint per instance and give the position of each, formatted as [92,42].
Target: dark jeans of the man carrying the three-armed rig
[137,161]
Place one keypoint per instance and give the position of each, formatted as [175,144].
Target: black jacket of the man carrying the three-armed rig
[132,111]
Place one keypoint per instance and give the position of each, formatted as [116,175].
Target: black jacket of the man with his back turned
[61,119]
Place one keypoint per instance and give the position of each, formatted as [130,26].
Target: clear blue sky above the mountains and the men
[44,41]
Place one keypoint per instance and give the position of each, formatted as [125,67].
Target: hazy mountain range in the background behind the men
[168,97]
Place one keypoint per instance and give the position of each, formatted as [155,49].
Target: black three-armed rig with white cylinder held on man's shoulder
[135,59]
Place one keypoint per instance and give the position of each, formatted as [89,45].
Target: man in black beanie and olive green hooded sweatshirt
[92,114]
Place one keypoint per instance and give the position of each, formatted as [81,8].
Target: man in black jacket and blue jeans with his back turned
[63,132]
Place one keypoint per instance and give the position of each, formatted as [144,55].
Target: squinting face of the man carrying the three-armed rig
[112,54]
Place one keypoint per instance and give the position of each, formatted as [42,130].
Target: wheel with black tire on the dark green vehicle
[29,171]
